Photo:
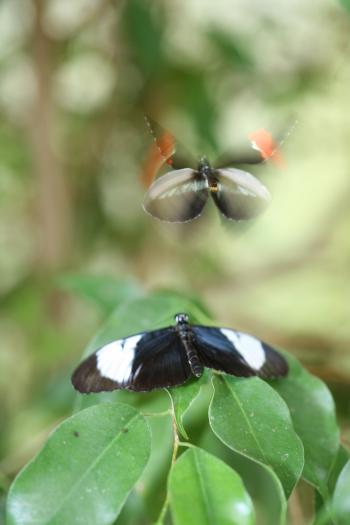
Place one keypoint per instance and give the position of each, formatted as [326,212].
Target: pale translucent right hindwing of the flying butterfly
[239,195]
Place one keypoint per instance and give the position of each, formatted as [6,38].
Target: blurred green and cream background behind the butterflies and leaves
[75,81]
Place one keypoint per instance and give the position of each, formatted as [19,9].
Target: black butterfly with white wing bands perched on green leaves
[170,356]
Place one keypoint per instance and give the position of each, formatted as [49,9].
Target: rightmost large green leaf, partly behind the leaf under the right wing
[313,414]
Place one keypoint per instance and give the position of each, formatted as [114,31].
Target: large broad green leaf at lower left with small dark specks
[85,470]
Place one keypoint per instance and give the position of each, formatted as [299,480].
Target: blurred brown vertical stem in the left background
[54,212]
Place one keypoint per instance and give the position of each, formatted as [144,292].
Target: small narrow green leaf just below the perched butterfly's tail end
[182,397]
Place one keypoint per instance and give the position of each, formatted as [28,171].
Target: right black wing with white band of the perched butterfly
[237,353]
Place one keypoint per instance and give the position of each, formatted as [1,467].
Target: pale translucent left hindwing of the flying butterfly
[178,196]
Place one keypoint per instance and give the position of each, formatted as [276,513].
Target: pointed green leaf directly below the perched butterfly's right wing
[252,419]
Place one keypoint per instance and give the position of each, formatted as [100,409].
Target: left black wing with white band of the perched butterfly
[141,362]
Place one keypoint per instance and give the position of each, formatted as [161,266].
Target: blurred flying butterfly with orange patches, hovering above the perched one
[181,194]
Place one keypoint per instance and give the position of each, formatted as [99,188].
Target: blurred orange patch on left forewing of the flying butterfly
[160,152]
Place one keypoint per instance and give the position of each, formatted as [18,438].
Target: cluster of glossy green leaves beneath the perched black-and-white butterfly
[90,463]
